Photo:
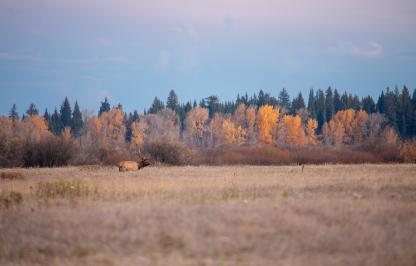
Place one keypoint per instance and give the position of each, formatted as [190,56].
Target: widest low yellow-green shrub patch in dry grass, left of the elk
[65,189]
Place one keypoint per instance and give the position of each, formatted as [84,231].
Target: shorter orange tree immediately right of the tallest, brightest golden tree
[295,134]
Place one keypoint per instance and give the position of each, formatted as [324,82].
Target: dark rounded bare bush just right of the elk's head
[168,152]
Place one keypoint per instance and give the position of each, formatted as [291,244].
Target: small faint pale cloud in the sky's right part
[369,50]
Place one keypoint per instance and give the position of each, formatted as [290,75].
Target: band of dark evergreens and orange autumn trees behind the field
[261,129]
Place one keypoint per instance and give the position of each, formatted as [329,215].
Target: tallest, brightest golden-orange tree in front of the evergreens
[267,117]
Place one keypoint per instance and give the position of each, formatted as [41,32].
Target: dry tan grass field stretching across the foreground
[240,215]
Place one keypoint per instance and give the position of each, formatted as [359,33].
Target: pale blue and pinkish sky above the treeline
[133,50]
